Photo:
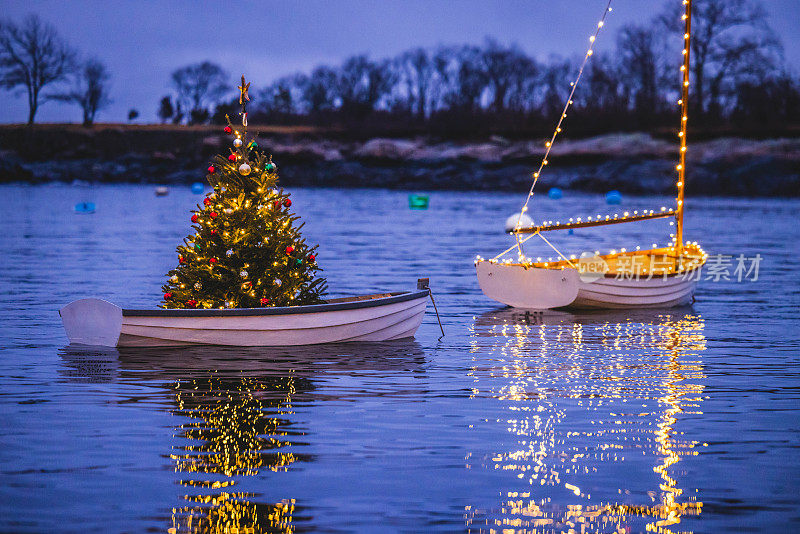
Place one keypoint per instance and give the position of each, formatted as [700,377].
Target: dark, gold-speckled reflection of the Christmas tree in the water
[238,428]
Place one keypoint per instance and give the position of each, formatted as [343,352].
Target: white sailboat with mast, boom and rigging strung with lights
[658,277]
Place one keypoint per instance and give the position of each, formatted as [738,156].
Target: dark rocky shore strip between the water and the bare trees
[631,163]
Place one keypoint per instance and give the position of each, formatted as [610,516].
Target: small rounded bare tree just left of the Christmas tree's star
[199,86]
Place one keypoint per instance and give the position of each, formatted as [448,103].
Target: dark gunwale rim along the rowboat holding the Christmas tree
[282,310]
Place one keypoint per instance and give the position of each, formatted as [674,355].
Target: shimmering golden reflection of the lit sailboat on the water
[595,403]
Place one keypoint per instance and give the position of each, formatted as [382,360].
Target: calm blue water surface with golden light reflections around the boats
[675,420]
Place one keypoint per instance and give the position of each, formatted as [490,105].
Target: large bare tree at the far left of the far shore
[32,55]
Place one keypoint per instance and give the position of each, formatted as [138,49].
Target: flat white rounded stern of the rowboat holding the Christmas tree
[92,322]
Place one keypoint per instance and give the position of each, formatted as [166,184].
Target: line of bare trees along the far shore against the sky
[739,78]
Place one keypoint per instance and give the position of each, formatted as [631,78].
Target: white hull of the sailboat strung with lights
[540,288]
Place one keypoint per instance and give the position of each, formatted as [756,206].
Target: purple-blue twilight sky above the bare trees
[143,41]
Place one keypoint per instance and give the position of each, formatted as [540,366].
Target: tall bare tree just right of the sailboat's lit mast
[730,37]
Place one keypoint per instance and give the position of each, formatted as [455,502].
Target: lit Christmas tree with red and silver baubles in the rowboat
[247,250]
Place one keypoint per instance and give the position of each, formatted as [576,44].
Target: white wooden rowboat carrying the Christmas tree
[379,317]
